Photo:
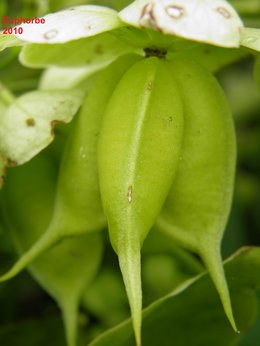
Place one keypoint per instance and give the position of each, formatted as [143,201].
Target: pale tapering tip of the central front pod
[130,265]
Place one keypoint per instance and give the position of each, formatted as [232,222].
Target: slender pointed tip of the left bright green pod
[44,243]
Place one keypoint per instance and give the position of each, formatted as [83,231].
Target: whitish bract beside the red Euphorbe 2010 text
[71,24]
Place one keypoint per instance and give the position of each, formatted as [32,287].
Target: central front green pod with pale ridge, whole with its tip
[138,151]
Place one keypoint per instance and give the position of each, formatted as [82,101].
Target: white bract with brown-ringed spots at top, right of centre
[214,22]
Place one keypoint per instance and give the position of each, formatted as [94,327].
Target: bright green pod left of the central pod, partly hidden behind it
[78,207]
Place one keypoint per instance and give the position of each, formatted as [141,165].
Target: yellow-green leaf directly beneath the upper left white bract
[103,48]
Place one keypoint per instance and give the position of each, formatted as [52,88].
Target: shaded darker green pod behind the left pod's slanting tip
[66,269]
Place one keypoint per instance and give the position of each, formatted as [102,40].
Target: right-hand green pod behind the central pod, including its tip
[197,207]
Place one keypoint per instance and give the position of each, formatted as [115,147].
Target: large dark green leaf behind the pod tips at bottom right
[193,311]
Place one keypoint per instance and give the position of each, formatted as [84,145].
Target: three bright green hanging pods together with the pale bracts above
[154,140]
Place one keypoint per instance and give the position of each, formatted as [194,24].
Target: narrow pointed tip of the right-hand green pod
[213,262]
